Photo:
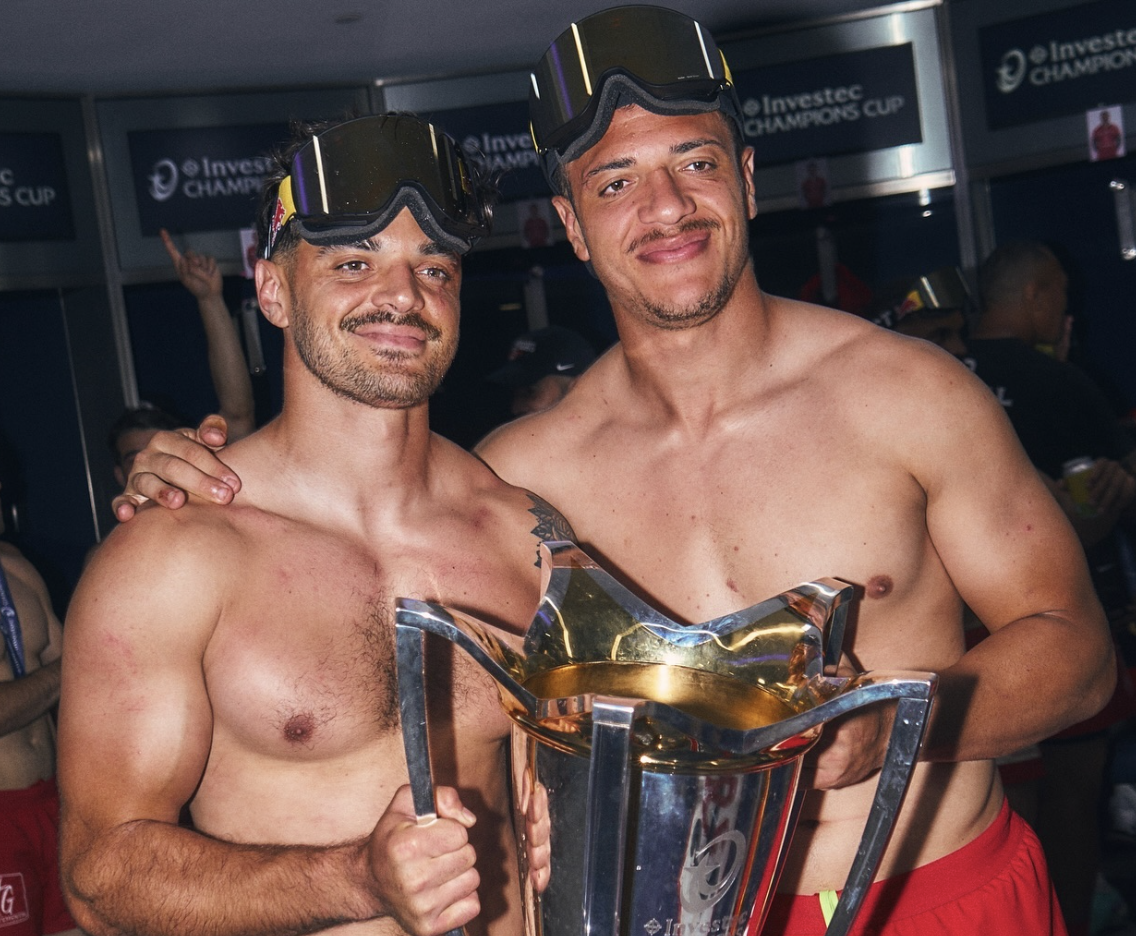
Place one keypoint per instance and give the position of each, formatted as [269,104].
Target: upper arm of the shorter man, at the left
[136,722]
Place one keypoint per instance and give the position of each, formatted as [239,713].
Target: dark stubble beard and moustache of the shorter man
[388,387]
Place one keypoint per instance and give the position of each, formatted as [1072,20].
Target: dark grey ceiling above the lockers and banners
[130,47]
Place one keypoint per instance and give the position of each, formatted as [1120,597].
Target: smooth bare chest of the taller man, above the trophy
[705,531]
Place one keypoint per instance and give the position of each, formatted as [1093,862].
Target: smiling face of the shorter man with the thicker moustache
[375,322]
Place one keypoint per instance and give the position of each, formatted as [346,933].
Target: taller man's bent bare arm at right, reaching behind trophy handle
[1017,564]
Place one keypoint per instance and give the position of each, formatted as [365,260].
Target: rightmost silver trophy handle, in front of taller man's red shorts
[903,750]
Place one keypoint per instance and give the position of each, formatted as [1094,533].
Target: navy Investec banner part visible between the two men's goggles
[500,135]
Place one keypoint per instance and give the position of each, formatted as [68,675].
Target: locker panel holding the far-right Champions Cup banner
[1030,70]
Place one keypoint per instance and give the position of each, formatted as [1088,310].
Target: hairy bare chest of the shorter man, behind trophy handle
[303,666]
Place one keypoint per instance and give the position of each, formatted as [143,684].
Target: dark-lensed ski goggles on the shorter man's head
[349,182]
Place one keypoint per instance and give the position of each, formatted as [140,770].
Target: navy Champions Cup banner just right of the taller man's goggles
[845,104]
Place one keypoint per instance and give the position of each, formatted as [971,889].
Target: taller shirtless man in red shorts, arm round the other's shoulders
[736,445]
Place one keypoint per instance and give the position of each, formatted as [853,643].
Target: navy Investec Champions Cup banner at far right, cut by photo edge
[1059,63]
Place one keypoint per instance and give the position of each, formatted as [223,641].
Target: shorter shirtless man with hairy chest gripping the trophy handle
[240,662]
